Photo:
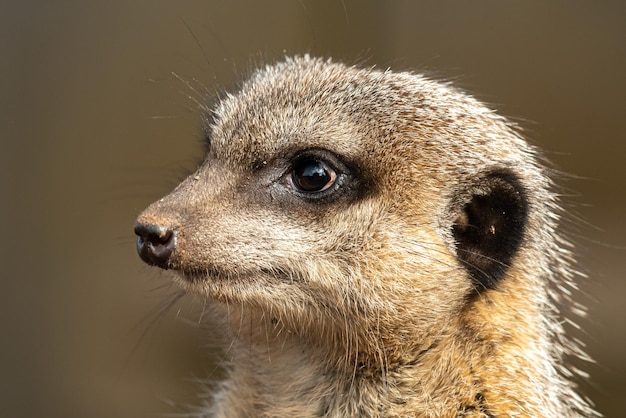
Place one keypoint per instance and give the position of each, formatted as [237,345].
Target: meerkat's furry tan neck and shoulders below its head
[466,370]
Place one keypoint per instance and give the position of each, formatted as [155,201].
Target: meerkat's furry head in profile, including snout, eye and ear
[338,197]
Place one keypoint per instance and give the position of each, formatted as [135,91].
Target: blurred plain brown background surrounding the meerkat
[98,118]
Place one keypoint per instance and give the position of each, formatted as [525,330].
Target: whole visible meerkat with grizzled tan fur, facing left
[375,243]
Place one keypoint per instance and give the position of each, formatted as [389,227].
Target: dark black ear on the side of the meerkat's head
[490,225]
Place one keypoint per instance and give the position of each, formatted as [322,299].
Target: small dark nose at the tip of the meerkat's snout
[155,244]
